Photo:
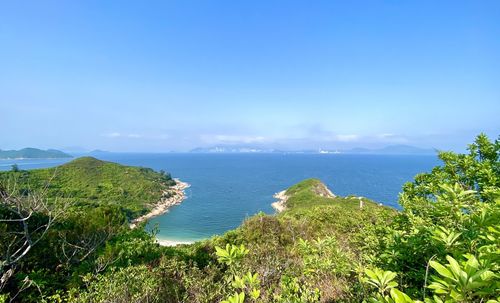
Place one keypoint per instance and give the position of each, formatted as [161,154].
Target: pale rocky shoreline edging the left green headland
[170,197]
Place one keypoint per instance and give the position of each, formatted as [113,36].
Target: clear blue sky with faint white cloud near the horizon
[174,75]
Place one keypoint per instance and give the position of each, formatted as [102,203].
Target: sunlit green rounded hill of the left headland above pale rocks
[89,182]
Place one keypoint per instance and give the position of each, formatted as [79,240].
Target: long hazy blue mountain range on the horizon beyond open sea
[388,150]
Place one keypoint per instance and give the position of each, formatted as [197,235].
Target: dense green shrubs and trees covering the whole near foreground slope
[443,246]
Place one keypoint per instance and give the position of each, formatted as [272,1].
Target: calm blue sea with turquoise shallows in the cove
[227,188]
